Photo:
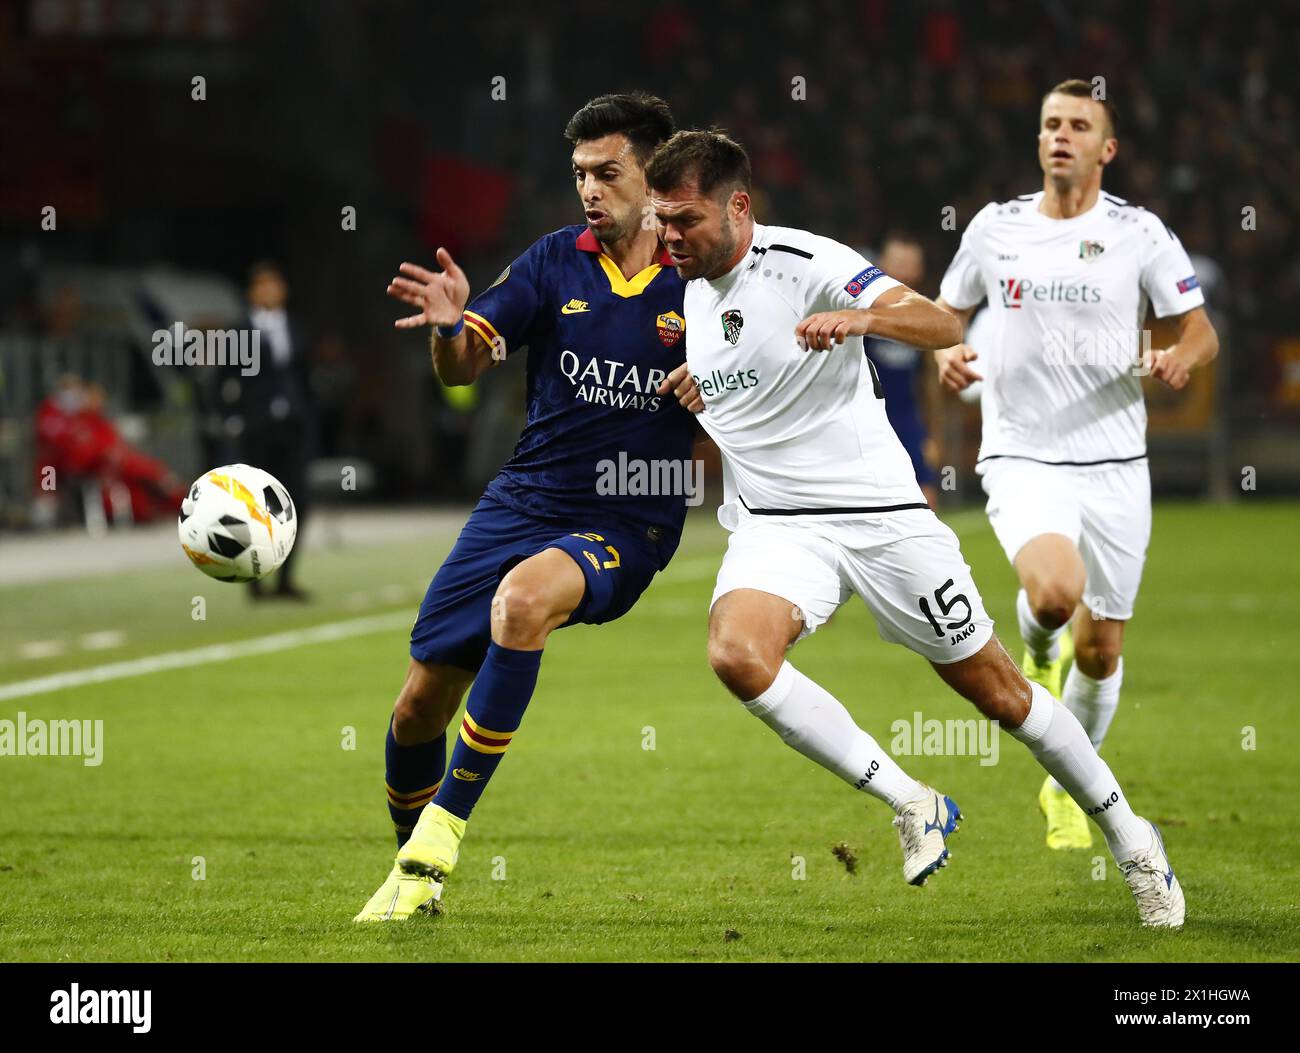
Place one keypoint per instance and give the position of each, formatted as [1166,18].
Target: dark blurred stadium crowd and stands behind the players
[441,125]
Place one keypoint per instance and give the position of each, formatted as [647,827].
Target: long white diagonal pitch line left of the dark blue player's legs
[326,634]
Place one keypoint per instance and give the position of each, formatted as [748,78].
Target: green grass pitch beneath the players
[591,847]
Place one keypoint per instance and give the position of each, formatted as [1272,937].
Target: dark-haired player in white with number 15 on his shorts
[822,502]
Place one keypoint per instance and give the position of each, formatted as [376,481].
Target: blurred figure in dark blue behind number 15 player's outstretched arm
[907,384]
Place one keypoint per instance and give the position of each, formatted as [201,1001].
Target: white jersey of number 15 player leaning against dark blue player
[801,432]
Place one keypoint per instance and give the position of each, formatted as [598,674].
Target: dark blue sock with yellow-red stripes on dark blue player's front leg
[497,703]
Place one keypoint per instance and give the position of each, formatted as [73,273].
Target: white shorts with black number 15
[907,566]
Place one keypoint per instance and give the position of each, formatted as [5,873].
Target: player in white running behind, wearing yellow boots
[1069,274]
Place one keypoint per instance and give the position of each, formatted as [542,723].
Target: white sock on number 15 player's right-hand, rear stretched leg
[1060,744]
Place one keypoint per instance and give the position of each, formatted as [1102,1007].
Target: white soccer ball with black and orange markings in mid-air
[237,523]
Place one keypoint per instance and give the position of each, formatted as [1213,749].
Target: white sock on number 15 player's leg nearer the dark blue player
[813,722]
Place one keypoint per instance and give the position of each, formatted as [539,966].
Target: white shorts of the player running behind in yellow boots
[1104,510]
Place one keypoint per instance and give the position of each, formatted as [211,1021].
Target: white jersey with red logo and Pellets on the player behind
[1068,300]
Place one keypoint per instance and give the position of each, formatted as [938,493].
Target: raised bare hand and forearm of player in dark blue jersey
[441,300]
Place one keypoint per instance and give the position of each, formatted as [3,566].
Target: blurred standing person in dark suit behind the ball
[276,419]
